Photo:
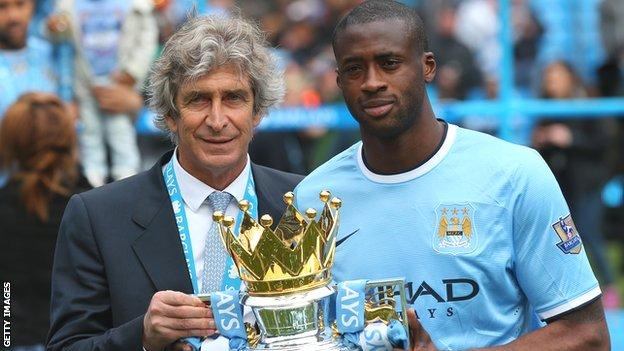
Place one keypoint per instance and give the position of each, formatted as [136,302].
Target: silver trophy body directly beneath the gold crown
[298,321]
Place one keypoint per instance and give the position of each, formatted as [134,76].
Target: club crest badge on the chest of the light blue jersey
[455,233]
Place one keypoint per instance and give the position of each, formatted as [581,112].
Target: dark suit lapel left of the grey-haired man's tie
[159,248]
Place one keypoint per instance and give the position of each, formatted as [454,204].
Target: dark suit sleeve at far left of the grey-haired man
[81,317]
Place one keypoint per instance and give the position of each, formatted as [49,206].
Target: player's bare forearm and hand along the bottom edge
[582,330]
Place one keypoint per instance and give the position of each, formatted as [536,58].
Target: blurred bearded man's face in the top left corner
[14,18]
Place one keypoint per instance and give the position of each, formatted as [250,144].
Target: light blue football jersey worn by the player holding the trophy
[480,232]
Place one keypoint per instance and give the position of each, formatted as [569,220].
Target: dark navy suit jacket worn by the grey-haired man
[117,246]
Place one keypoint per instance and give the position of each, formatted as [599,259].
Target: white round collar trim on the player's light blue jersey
[414,173]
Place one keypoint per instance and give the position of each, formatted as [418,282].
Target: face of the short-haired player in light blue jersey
[382,74]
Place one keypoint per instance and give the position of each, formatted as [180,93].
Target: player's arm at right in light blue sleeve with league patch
[551,266]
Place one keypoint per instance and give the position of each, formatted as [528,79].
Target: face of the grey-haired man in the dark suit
[216,122]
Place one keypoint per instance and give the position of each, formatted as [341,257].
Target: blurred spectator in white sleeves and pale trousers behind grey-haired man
[115,42]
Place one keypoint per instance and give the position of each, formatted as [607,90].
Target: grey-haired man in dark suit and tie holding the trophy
[126,250]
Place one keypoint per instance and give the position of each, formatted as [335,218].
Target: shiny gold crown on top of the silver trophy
[296,256]
